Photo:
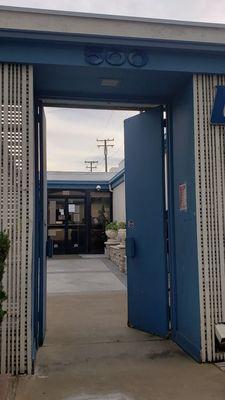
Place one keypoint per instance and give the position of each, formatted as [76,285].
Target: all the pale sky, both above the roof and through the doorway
[65,150]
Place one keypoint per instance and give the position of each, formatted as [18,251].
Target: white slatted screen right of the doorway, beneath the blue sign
[210,199]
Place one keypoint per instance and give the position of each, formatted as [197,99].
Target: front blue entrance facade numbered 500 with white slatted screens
[51,58]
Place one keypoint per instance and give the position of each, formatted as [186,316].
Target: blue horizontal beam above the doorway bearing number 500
[67,53]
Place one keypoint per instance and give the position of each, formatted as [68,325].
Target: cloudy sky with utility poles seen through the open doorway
[72,134]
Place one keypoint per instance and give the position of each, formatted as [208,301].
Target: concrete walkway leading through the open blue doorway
[90,354]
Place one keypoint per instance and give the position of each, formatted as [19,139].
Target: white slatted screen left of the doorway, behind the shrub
[16,212]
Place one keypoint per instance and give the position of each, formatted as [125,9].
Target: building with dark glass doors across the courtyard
[80,205]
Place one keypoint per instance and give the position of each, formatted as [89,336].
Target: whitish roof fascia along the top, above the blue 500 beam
[37,20]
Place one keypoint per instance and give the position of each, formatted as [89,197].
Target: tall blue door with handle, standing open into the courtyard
[146,225]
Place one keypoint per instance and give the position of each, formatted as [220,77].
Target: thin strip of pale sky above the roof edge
[197,10]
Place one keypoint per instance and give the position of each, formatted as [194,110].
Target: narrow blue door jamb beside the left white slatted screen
[39,265]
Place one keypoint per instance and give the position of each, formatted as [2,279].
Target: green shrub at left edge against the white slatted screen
[4,249]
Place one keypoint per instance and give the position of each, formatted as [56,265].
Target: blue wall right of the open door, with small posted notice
[186,315]
